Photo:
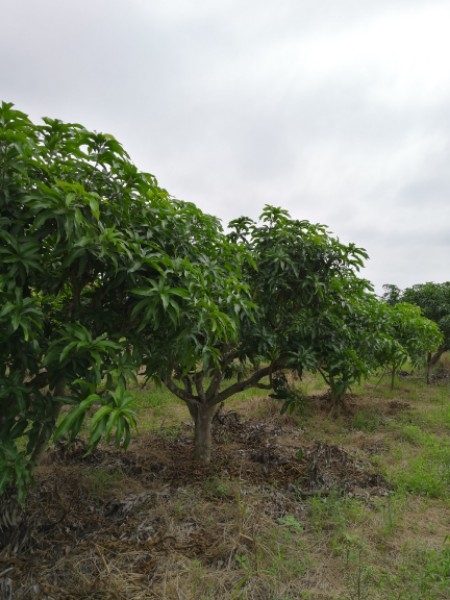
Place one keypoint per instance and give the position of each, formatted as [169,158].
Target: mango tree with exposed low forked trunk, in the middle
[288,269]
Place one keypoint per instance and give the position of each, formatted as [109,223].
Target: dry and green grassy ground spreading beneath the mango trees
[230,535]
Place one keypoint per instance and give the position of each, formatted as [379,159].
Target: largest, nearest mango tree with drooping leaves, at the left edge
[84,237]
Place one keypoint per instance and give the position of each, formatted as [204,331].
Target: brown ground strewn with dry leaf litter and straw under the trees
[120,524]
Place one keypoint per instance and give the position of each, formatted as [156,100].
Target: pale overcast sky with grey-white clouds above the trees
[337,110]
